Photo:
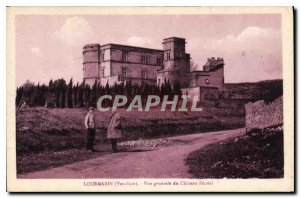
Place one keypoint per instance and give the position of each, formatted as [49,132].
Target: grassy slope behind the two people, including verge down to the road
[53,137]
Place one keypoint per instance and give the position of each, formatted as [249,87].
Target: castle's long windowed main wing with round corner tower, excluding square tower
[114,63]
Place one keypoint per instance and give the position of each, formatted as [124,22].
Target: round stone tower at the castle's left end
[91,63]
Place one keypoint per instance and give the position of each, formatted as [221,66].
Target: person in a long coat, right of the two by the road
[114,130]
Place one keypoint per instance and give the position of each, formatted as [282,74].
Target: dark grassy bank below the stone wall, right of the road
[256,155]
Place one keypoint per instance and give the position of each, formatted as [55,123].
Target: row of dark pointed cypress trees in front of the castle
[59,94]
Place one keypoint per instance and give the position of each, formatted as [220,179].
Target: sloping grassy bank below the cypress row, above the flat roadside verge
[42,129]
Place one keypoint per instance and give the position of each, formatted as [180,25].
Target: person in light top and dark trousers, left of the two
[90,126]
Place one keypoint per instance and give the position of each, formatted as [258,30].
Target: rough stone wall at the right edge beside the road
[261,115]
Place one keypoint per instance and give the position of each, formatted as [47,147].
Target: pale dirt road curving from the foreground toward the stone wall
[164,162]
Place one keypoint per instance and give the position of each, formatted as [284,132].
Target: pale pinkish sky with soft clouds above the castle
[50,47]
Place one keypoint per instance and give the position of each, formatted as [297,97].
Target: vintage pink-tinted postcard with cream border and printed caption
[150,99]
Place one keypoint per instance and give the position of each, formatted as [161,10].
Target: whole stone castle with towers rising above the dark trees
[113,63]
